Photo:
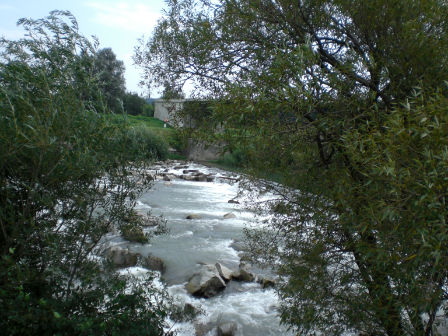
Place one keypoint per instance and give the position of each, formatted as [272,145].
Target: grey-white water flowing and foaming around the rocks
[191,243]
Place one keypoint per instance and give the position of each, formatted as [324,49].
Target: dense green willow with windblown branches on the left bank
[67,177]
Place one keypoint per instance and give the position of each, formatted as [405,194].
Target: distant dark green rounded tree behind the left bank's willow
[110,72]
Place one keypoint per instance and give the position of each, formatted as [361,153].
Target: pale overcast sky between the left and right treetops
[117,24]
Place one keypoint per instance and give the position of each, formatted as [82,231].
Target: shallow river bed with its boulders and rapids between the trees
[199,259]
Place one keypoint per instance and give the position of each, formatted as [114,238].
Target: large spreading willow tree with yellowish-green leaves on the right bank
[318,90]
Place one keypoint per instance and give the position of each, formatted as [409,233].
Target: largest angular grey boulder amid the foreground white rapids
[206,283]
